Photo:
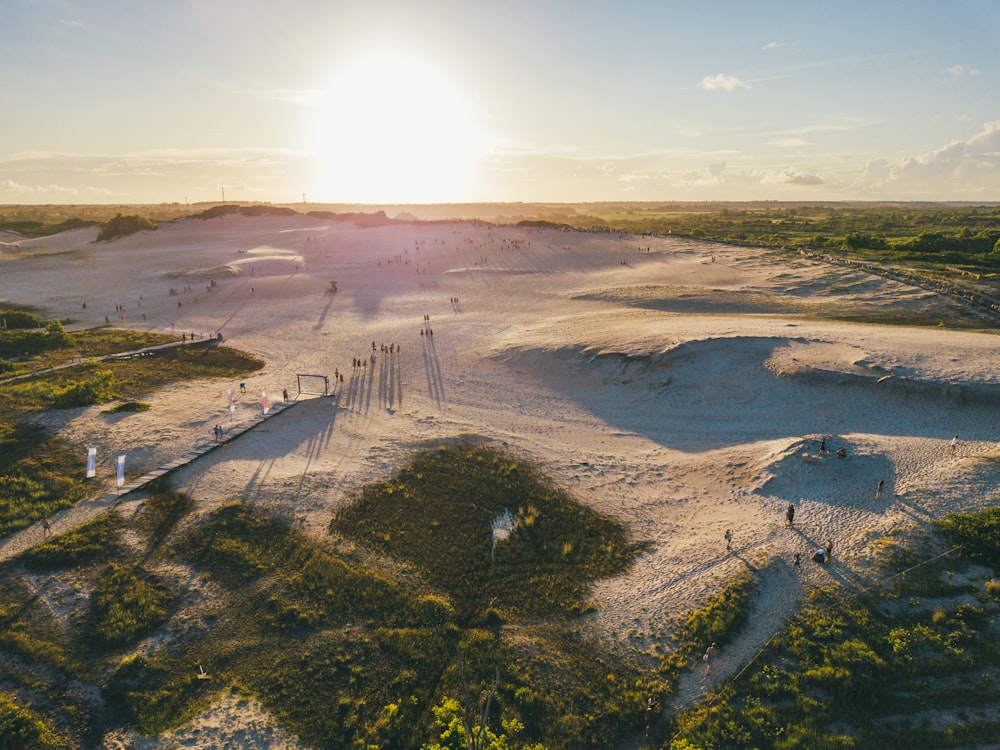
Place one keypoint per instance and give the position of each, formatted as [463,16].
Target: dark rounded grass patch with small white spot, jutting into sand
[440,519]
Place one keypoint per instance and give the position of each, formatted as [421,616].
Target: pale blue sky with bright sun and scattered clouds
[453,101]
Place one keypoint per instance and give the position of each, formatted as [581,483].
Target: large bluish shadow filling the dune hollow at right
[733,371]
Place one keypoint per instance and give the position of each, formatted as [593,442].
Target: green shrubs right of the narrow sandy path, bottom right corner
[872,670]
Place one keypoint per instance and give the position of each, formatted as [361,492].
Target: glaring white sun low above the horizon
[393,129]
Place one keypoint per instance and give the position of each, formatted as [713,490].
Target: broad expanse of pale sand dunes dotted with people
[677,394]
